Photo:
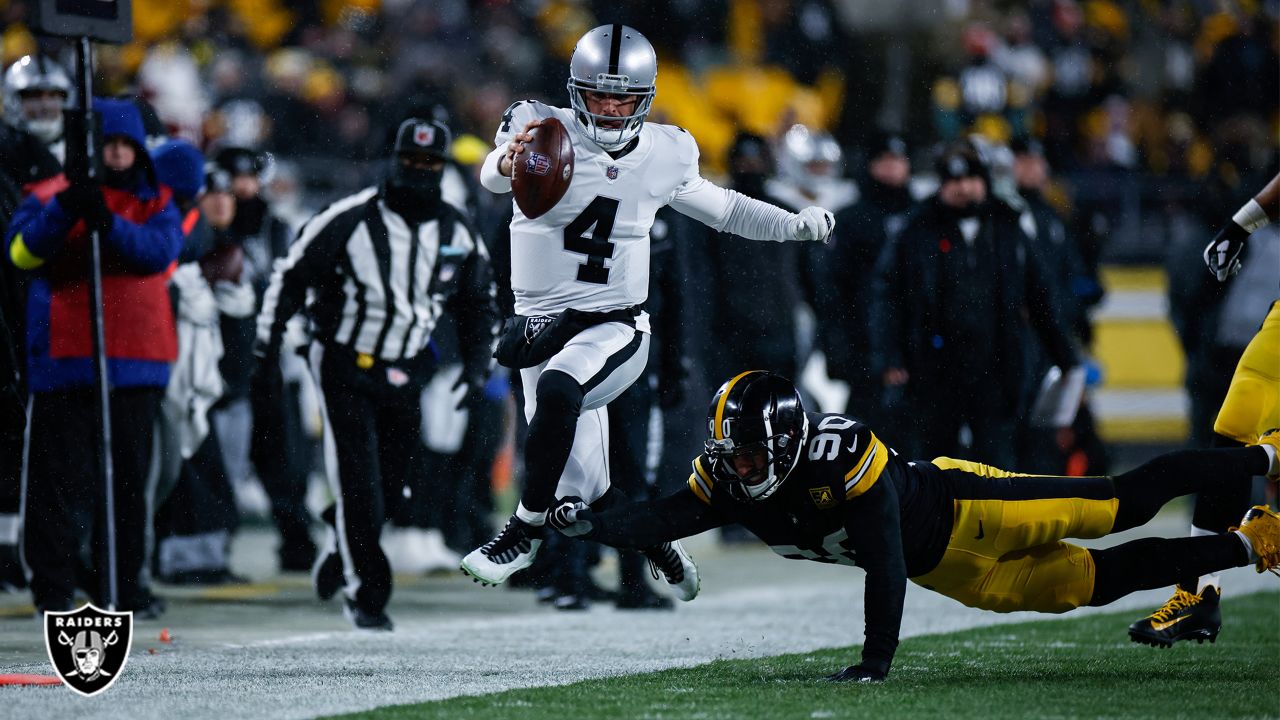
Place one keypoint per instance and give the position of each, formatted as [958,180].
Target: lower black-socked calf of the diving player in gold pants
[1155,563]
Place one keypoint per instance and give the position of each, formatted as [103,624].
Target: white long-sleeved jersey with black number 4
[592,250]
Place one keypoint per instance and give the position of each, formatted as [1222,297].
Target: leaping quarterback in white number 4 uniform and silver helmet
[580,276]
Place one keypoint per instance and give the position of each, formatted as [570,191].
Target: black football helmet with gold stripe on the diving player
[756,412]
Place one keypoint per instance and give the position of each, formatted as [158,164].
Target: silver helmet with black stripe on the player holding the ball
[619,61]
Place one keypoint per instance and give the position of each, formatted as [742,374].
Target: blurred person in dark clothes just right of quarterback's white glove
[847,267]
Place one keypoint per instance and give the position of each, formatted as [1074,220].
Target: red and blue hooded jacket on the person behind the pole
[139,253]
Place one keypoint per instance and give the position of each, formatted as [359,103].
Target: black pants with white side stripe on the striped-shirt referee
[372,443]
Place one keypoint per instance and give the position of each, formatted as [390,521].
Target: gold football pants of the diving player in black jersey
[1007,550]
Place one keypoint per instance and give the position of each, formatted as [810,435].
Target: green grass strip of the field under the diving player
[1058,668]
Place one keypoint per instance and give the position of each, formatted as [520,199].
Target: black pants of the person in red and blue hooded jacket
[66,500]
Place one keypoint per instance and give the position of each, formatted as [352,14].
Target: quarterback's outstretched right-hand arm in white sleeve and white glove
[732,212]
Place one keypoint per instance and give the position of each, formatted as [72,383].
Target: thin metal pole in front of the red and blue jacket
[85,92]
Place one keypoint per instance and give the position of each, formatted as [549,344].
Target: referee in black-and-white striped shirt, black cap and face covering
[376,271]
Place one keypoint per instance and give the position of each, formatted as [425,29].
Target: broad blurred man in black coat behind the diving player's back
[952,300]
